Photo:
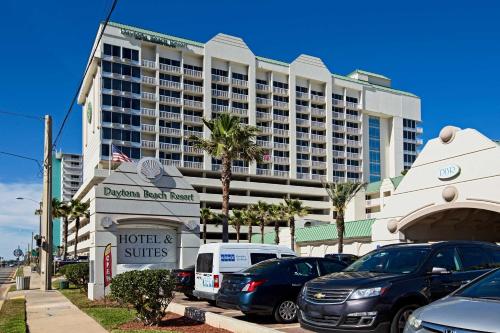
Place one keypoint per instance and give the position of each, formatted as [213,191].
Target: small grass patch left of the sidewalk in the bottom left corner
[13,316]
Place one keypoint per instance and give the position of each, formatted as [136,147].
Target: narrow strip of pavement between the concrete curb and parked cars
[268,322]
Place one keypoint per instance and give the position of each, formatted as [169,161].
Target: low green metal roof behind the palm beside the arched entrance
[353,229]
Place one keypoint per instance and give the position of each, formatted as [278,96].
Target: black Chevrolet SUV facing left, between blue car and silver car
[379,291]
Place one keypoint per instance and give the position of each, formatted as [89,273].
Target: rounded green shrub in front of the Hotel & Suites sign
[149,292]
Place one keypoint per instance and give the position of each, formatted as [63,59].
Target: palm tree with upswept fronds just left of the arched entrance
[340,194]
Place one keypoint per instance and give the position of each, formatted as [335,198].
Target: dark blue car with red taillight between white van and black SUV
[271,287]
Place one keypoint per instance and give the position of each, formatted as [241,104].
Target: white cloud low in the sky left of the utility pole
[17,218]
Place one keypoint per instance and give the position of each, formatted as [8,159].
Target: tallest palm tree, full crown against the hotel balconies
[229,140]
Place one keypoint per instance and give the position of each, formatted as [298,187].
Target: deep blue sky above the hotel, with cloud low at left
[446,52]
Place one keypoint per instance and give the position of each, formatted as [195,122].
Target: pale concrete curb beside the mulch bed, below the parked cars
[219,321]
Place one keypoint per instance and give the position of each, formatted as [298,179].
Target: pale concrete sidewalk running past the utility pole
[51,312]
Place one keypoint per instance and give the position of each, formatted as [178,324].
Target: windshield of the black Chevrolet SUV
[395,260]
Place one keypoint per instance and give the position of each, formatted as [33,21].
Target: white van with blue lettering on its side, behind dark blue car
[215,259]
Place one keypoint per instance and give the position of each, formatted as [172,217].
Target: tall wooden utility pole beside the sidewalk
[46,249]
